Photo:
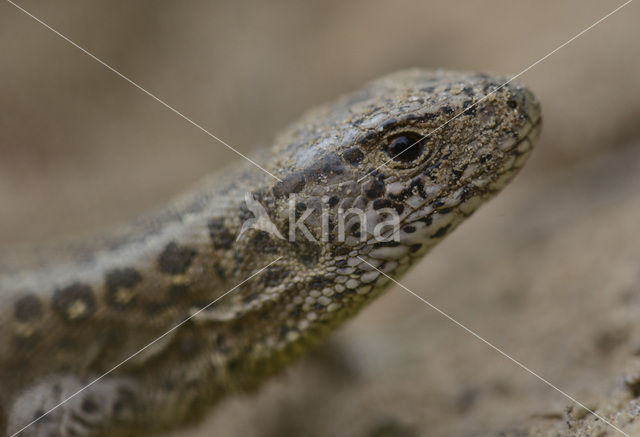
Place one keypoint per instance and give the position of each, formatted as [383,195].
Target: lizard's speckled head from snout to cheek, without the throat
[394,167]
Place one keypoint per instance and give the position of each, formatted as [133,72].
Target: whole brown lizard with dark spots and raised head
[412,154]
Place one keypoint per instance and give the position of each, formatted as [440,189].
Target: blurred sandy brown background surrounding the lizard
[549,271]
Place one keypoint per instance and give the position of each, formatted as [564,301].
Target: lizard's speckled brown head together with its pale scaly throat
[369,183]
